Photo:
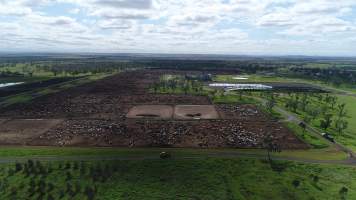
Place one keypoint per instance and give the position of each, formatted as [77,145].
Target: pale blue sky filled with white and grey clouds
[244,27]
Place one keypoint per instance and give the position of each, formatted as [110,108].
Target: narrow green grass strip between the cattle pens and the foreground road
[325,154]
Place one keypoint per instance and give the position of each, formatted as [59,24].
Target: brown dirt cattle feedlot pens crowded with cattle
[95,114]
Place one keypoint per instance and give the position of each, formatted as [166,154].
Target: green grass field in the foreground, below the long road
[206,178]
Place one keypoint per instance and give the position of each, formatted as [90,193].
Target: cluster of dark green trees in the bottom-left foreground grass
[40,187]
